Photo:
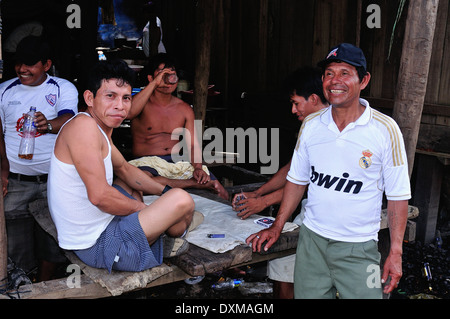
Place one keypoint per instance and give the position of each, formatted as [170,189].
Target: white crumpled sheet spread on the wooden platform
[221,219]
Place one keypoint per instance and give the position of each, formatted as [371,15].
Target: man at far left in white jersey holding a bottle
[56,100]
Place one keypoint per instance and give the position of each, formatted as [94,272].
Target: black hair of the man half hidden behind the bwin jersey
[304,82]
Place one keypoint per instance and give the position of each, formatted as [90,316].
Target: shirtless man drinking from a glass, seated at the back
[156,116]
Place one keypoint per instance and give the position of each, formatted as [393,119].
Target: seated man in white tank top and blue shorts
[103,224]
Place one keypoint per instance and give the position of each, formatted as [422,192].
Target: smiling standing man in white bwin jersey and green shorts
[348,154]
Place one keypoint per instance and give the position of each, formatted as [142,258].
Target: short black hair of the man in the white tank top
[110,69]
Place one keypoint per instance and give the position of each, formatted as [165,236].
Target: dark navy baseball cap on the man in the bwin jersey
[345,52]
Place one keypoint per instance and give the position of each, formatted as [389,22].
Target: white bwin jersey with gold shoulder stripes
[348,171]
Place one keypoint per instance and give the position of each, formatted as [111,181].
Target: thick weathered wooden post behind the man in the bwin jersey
[413,73]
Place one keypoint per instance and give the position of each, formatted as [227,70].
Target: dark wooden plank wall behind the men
[256,43]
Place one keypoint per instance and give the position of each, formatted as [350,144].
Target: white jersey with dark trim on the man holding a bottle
[53,98]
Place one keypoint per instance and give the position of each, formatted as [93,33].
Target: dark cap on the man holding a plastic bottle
[31,50]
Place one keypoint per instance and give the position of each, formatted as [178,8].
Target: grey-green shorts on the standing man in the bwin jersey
[324,267]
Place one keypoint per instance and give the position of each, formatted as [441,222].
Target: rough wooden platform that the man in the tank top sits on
[98,283]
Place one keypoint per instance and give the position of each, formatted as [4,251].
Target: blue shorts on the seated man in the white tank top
[123,246]
